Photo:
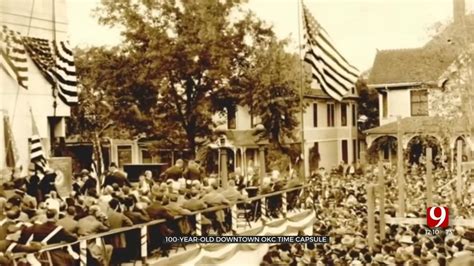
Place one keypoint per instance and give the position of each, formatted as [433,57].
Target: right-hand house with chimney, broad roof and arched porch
[424,92]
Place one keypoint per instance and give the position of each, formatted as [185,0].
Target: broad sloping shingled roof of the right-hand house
[406,66]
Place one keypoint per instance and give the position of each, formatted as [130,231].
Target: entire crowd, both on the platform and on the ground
[35,212]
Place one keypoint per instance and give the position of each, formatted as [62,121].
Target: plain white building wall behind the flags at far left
[32,19]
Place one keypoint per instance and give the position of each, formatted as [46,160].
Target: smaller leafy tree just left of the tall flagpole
[272,81]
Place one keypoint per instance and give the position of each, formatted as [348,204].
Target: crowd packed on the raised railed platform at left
[35,212]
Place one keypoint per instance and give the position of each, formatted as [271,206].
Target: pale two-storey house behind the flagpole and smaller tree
[330,132]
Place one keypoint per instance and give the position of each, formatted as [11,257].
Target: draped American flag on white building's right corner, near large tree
[56,61]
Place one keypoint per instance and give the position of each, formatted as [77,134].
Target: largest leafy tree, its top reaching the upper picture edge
[181,58]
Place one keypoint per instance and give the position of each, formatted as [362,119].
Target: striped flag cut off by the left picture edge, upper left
[13,56]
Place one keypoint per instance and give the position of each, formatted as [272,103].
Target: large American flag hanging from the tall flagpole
[328,67]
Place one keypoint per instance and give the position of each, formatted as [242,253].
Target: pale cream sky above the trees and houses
[358,28]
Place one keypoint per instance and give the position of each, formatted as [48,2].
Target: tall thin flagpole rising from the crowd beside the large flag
[301,106]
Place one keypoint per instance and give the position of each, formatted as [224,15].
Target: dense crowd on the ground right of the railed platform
[341,208]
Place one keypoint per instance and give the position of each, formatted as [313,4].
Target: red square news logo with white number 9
[437,220]
